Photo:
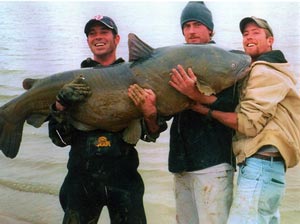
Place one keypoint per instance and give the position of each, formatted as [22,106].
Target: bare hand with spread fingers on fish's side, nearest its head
[184,82]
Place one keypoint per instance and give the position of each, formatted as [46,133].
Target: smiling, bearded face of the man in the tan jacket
[256,40]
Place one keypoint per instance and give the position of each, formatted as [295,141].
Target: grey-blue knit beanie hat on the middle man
[199,12]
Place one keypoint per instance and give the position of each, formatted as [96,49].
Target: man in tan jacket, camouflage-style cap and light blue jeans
[267,126]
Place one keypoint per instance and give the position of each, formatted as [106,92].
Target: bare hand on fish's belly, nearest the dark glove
[144,99]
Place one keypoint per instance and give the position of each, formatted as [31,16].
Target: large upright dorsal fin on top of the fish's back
[137,48]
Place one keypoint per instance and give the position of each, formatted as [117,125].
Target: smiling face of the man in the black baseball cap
[103,43]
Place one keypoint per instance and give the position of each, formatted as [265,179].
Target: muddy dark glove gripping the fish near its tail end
[73,92]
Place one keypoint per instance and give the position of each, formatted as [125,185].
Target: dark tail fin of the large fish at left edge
[10,137]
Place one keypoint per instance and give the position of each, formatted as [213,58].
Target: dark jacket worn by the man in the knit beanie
[197,141]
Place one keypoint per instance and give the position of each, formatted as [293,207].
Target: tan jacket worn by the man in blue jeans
[269,113]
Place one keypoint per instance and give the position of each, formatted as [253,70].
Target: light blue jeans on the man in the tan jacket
[260,189]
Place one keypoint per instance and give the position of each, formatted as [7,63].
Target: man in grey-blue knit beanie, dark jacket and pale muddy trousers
[200,147]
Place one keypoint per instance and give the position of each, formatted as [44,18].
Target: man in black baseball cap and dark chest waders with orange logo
[102,167]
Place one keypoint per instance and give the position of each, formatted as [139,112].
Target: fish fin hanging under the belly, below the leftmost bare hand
[133,132]
